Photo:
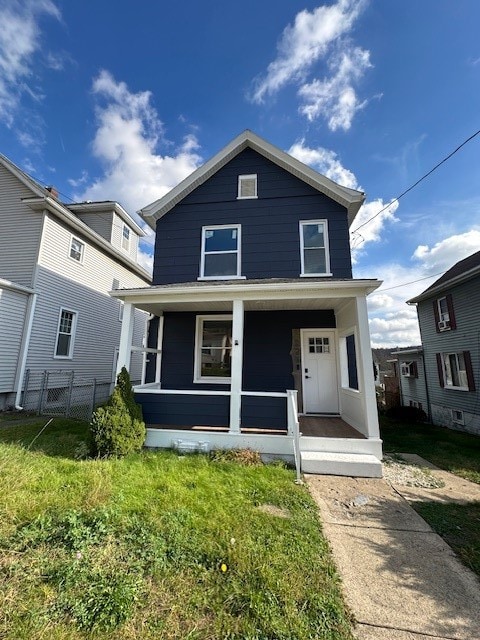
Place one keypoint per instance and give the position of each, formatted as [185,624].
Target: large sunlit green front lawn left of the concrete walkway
[157,545]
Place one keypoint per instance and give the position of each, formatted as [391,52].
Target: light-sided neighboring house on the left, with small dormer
[58,264]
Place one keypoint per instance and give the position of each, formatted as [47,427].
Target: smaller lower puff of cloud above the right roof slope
[334,98]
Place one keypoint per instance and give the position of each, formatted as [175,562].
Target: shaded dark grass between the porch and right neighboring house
[453,451]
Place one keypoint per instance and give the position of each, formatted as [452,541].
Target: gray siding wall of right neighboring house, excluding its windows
[466,303]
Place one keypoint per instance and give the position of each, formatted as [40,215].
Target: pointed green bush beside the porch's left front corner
[118,428]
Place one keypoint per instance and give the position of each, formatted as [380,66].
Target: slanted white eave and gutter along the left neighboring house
[55,207]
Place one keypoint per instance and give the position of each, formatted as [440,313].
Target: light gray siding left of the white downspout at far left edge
[12,316]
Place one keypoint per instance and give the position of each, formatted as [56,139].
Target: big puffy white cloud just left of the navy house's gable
[128,134]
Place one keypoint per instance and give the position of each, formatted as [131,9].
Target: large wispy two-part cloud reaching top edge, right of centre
[320,35]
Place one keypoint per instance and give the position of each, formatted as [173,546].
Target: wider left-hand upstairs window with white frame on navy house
[220,257]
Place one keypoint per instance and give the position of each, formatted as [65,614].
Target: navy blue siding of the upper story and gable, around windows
[270,232]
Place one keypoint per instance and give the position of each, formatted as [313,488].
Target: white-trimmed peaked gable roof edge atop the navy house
[349,198]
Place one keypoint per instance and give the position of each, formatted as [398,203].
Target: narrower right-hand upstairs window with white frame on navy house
[314,248]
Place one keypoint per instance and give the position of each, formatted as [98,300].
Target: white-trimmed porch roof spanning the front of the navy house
[258,295]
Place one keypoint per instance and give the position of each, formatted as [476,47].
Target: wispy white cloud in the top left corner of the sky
[19,44]
